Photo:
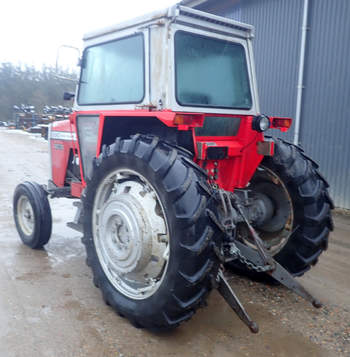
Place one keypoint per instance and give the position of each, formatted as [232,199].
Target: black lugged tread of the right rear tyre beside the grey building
[309,190]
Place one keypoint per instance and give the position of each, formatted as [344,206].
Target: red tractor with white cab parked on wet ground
[165,151]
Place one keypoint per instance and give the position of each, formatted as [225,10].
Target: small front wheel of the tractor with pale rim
[32,214]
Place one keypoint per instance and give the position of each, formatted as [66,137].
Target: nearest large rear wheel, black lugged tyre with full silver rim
[147,234]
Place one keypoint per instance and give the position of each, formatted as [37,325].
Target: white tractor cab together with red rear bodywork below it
[181,74]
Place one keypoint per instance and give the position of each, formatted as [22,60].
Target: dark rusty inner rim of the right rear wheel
[274,237]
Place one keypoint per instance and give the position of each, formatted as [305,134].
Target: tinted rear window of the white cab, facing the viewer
[210,72]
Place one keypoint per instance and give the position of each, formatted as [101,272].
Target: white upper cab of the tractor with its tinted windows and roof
[179,59]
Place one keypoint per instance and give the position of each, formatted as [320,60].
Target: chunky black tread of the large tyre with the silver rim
[193,281]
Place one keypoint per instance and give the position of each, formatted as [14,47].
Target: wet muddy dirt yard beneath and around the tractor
[50,307]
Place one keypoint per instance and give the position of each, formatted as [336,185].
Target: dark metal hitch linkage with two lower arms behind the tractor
[234,210]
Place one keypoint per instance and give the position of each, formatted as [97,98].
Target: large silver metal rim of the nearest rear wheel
[130,233]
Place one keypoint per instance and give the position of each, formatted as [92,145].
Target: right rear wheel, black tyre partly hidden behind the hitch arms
[297,233]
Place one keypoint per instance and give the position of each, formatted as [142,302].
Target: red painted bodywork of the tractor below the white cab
[233,171]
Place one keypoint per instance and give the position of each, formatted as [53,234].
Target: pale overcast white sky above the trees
[31,31]
